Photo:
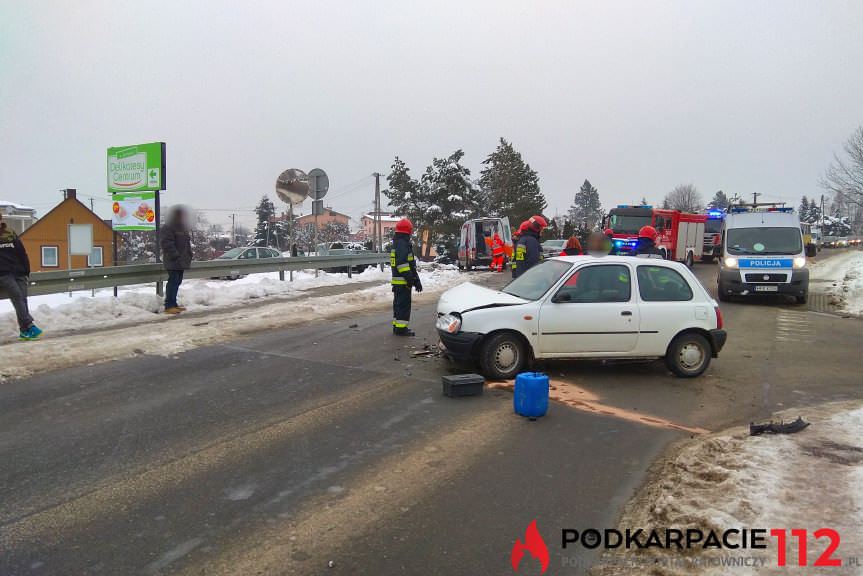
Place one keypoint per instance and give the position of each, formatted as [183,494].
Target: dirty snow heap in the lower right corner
[809,480]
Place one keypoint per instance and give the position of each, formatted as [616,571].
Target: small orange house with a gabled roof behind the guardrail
[47,240]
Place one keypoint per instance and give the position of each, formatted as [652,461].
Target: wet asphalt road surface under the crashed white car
[330,442]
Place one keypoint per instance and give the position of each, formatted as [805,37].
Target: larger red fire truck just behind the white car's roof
[679,236]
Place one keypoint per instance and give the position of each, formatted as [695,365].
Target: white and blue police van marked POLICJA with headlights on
[763,253]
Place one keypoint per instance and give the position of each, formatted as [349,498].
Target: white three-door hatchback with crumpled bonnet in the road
[584,307]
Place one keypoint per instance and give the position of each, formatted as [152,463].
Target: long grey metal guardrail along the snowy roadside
[59,281]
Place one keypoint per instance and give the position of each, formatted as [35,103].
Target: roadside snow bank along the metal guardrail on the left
[225,317]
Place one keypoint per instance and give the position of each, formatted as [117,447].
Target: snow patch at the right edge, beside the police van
[841,277]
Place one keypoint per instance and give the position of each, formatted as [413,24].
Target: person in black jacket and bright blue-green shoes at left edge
[14,273]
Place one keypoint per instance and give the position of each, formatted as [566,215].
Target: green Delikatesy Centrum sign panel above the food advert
[136,168]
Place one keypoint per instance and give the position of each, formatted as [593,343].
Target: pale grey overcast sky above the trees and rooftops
[635,96]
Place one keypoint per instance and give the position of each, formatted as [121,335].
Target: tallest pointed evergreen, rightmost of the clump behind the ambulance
[510,185]
